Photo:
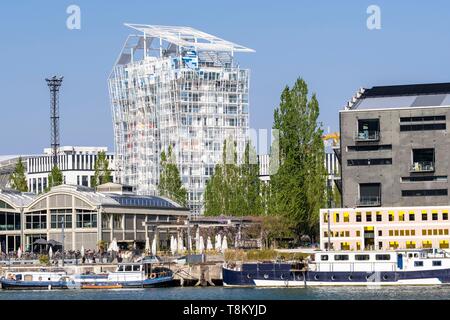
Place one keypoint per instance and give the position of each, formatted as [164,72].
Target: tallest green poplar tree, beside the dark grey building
[298,187]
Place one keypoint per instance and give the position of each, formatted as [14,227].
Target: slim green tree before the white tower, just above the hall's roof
[170,184]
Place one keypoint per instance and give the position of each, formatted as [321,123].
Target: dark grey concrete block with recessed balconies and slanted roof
[395,146]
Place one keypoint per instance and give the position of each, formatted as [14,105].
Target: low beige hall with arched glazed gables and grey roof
[86,216]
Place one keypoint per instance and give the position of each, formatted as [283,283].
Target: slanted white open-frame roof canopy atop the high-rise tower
[188,37]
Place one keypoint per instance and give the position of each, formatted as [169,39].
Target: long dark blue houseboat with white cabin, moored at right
[349,268]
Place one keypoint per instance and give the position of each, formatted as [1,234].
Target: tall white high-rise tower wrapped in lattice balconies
[179,87]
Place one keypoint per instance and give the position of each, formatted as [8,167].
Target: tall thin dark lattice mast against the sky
[54,85]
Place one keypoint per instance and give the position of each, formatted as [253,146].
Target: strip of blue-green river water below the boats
[221,293]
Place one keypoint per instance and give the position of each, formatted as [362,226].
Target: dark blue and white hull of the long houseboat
[286,278]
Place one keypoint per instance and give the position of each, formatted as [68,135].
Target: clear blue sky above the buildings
[325,42]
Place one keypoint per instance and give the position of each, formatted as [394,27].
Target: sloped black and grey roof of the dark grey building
[401,96]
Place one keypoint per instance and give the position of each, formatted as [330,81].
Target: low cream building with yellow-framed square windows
[385,228]
